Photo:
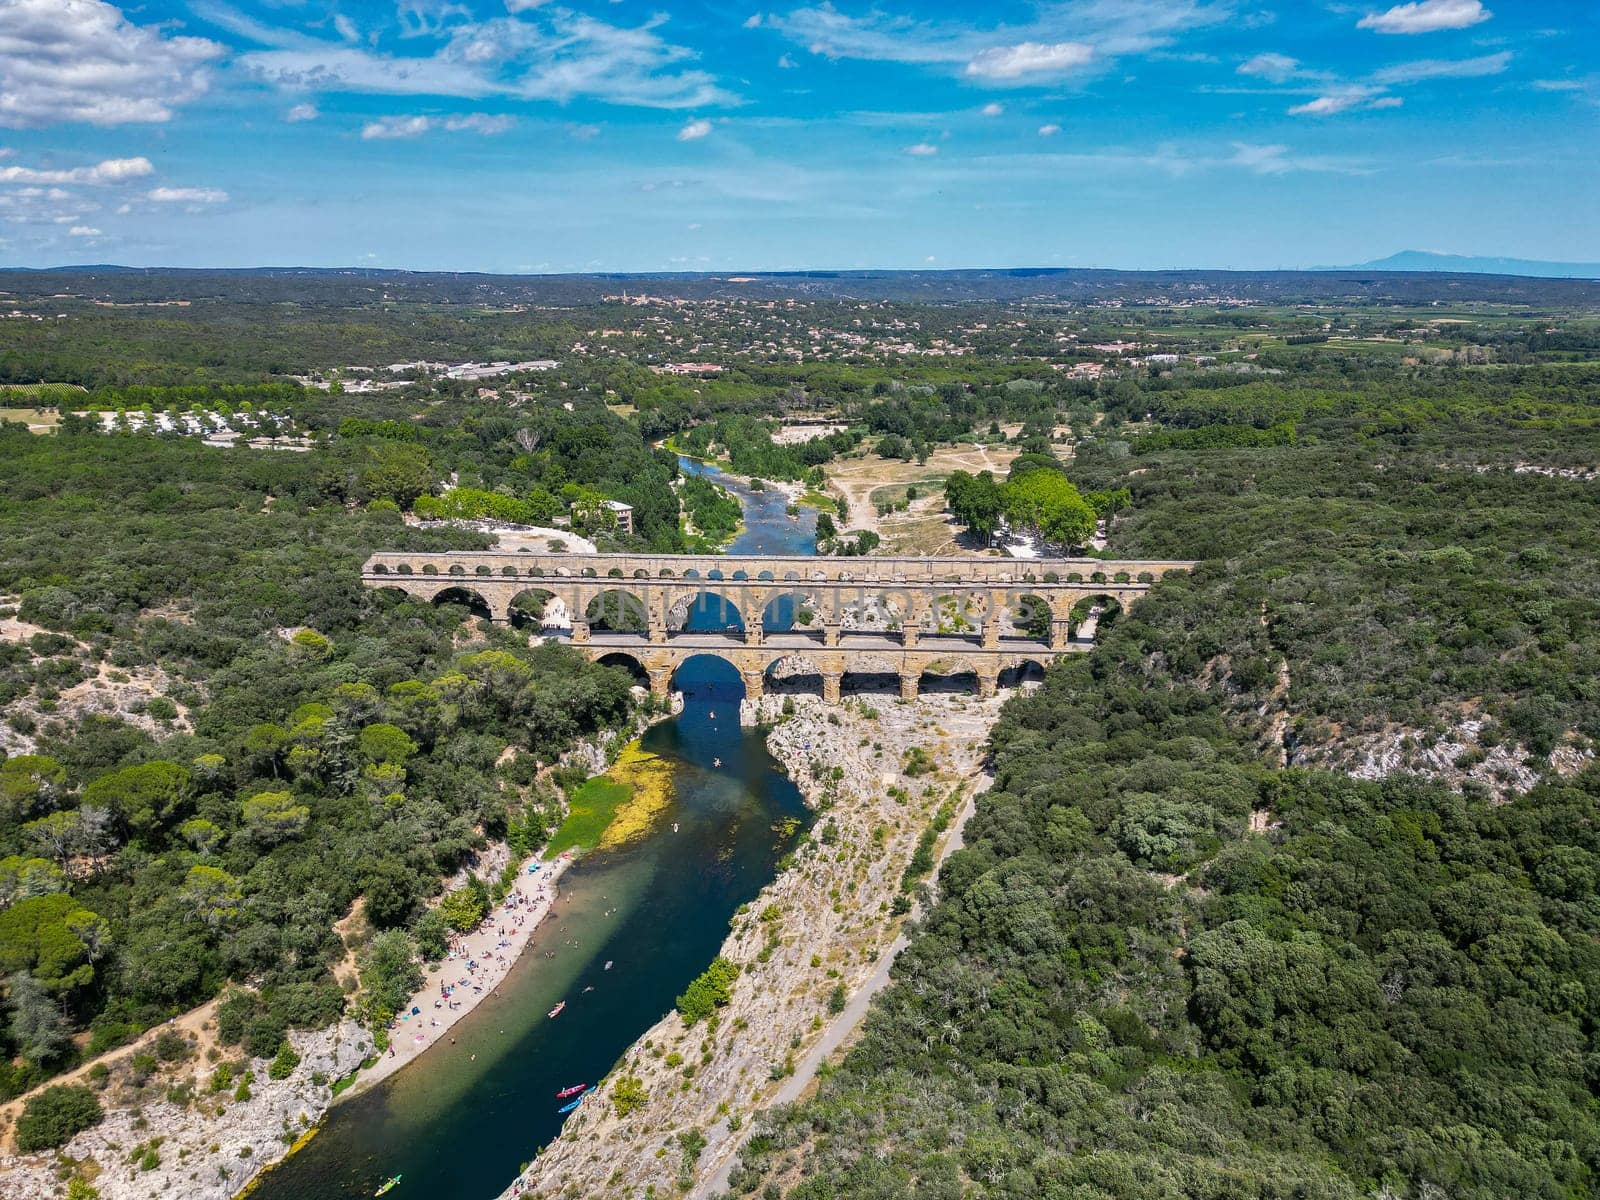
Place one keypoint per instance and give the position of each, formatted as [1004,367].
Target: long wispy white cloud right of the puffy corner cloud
[554,55]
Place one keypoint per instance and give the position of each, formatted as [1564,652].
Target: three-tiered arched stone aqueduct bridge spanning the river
[988,617]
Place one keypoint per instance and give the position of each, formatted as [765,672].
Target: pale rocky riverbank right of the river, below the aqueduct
[878,772]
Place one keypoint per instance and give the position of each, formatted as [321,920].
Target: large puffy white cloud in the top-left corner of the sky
[84,62]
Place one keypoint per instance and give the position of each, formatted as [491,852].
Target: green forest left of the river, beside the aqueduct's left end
[311,743]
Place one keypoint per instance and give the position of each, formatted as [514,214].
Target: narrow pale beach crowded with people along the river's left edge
[476,966]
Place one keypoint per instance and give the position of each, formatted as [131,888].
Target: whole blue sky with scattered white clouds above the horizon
[625,135]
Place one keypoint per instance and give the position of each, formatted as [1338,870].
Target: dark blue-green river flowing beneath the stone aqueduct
[462,1122]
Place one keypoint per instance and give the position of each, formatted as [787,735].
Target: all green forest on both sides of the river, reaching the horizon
[1186,951]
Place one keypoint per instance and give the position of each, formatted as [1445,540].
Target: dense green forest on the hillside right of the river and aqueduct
[1167,966]
